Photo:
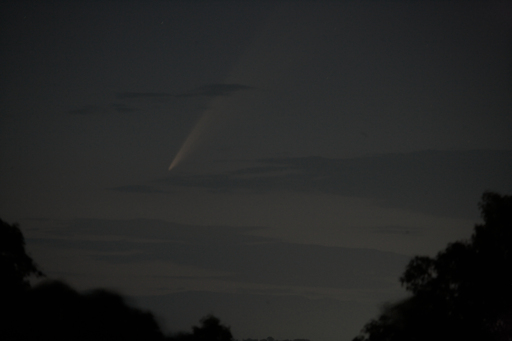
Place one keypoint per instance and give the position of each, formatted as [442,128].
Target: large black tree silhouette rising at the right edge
[464,293]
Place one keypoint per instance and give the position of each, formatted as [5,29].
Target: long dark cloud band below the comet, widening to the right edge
[446,183]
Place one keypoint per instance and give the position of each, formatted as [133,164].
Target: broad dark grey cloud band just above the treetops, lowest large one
[246,258]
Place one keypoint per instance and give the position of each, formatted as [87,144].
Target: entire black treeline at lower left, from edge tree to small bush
[53,310]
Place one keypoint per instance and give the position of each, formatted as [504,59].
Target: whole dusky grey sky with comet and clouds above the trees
[315,147]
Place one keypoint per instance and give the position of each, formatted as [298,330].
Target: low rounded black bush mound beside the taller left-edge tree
[55,311]
